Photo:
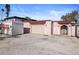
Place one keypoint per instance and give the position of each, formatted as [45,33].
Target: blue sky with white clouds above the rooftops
[40,11]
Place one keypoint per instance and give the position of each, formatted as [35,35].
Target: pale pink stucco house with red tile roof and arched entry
[48,27]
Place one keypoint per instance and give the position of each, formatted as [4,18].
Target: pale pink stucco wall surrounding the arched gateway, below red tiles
[57,29]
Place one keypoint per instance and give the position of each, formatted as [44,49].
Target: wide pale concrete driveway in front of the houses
[34,44]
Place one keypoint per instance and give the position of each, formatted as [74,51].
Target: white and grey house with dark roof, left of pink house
[13,26]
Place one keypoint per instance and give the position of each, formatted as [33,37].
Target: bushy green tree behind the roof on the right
[70,16]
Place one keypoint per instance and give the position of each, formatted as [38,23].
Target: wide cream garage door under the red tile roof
[37,29]
